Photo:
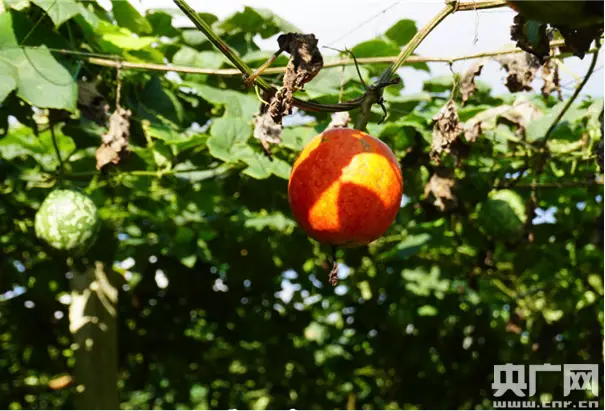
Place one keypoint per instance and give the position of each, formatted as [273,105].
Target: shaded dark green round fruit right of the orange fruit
[503,215]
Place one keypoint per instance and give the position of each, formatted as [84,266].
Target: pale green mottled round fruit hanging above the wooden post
[67,220]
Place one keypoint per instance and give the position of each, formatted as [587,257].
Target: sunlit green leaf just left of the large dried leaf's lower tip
[228,136]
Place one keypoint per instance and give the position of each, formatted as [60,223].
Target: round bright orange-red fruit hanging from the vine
[345,187]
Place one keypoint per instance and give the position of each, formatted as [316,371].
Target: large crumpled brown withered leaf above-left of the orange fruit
[305,62]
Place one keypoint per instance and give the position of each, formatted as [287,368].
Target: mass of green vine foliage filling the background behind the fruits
[225,301]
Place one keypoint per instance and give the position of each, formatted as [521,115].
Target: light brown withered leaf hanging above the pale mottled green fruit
[115,141]
